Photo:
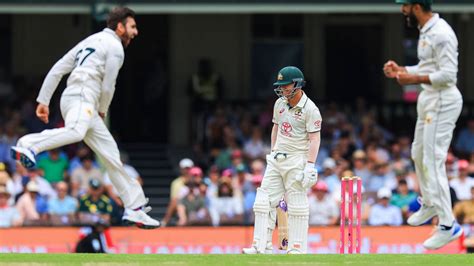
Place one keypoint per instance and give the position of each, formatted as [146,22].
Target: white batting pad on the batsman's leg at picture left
[261,208]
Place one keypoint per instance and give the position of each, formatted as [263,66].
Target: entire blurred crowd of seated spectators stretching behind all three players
[217,184]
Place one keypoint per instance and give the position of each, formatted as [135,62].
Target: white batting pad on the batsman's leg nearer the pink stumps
[298,218]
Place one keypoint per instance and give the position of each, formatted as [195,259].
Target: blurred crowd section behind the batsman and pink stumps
[219,186]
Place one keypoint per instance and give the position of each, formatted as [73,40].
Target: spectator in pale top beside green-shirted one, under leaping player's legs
[81,176]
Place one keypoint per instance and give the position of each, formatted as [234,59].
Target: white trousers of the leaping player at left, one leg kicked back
[82,122]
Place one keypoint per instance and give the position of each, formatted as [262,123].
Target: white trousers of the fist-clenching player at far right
[438,112]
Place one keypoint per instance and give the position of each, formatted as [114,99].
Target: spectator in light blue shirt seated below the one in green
[62,209]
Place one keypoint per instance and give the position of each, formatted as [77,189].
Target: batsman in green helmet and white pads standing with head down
[295,141]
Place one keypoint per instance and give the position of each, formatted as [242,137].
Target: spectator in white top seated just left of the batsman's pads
[226,209]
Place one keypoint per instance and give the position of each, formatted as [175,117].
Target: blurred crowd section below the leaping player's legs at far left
[60,191]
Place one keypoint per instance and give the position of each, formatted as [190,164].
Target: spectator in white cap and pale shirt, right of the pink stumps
[383,213]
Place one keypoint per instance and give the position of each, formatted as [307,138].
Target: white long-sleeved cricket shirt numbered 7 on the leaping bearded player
[94,64]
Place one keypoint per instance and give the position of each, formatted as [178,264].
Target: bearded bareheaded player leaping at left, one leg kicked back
[94,64]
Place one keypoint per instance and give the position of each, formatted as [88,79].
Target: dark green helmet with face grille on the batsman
[289,75]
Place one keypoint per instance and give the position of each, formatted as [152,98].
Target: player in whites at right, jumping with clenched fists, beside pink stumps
[439,106]
